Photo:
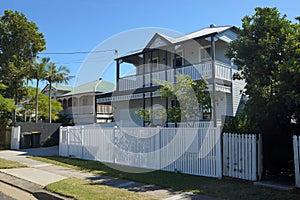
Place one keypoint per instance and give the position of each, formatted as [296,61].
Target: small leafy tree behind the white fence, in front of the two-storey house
[191,95]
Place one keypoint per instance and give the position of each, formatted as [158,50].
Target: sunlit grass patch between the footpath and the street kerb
[86,190]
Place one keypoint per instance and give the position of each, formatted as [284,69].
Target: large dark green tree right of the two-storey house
[266,53]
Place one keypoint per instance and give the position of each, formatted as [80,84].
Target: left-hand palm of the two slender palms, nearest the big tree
[38,73]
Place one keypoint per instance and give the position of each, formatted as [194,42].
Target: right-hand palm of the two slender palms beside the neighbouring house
[56,75]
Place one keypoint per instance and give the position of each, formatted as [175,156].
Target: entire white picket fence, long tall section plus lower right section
[194,151]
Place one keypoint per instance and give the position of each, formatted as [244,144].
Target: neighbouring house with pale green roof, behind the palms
[79,102]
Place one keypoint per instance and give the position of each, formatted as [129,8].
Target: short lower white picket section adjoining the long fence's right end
[242,156]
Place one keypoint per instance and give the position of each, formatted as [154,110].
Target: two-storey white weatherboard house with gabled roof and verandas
[200,54]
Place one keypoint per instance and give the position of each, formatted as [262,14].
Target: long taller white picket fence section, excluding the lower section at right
[194,151]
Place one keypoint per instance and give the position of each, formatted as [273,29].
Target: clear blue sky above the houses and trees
[76,26]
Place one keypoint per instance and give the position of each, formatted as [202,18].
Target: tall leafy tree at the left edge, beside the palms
[20,42]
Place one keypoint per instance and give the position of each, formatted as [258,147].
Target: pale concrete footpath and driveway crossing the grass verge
[40,174]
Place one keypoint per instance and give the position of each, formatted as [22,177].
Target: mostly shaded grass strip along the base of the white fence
[225,188]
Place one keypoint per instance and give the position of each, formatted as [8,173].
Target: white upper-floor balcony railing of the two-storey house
[197,72]
